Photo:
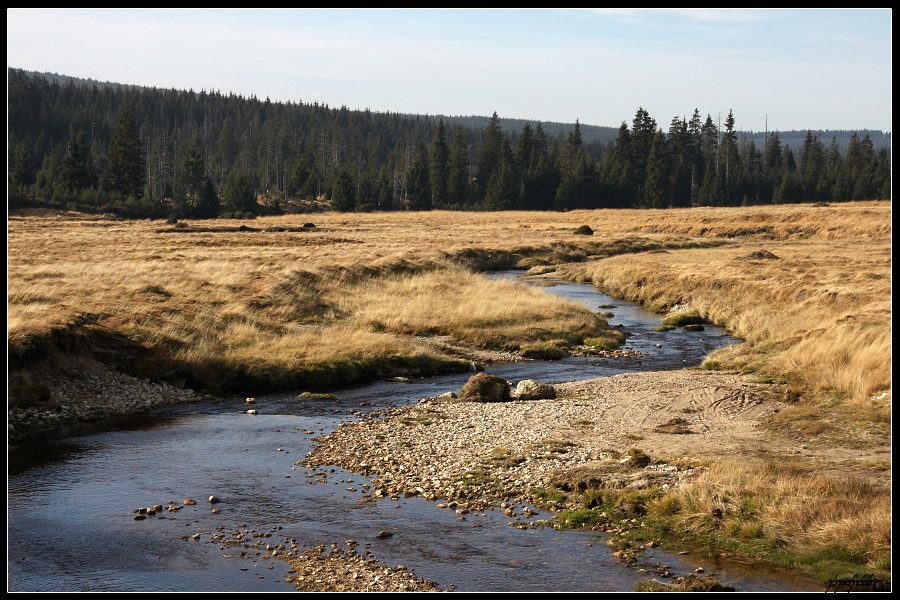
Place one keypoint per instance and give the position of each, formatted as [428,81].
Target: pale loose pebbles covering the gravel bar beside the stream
[466,434]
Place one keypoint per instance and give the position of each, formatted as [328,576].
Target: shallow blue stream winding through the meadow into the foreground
[70,501]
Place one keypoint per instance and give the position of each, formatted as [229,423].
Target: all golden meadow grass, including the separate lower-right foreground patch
[275,307]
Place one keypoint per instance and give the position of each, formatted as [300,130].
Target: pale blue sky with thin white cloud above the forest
[790,69]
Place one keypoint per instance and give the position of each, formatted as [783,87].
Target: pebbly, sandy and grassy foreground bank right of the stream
[654,458]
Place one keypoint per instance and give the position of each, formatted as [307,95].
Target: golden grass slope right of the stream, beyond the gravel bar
[819,313]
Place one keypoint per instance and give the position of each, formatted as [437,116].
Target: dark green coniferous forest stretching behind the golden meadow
[148,152]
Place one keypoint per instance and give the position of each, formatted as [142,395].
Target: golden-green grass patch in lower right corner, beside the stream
[786,513]
